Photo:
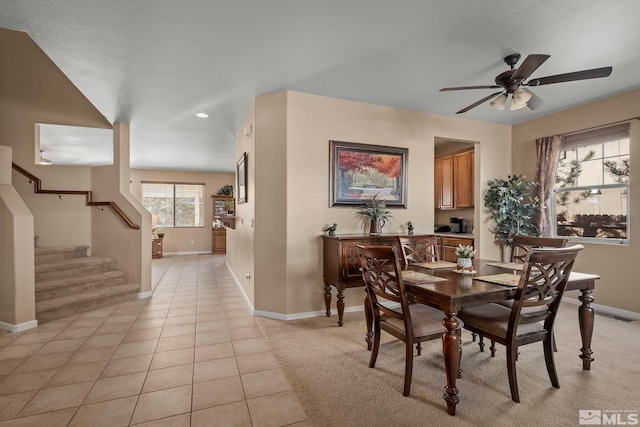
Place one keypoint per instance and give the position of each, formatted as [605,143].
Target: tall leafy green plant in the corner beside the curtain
[512,208]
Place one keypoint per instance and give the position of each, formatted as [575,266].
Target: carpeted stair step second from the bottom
[74,285]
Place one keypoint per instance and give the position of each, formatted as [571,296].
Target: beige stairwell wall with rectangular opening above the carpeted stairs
[35,91]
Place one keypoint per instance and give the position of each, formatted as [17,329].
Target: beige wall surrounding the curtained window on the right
[617,286]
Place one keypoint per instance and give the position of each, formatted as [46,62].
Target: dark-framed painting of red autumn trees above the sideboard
[360,171]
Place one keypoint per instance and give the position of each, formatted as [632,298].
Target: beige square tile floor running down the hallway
[191,355]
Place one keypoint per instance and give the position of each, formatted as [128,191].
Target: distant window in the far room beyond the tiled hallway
[177,205]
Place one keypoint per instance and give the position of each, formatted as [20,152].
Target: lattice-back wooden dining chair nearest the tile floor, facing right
[389,307]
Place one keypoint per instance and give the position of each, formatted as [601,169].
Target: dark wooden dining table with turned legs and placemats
[439,284]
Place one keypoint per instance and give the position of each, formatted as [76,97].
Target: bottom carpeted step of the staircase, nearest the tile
[57,308]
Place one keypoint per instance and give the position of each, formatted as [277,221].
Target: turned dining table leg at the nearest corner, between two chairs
[451,352]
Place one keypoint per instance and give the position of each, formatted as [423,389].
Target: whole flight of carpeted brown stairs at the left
[70,282]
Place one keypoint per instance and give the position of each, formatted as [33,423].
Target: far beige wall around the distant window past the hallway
[178,240]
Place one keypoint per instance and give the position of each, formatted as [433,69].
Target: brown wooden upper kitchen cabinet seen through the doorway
[453,180]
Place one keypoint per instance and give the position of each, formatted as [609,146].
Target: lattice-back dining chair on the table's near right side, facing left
[542,284]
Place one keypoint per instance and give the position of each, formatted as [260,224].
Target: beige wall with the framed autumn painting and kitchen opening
[292,136]
